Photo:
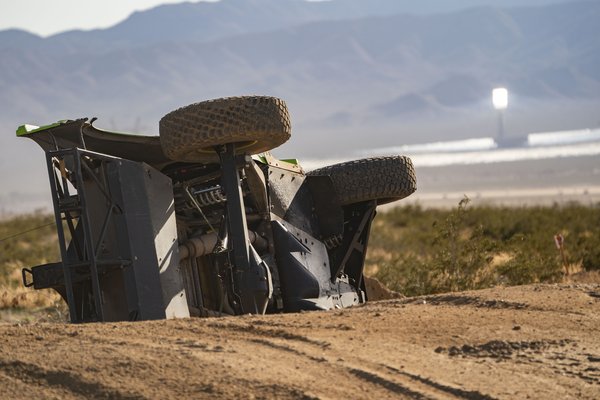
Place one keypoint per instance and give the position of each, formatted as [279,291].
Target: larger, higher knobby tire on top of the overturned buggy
[255,123]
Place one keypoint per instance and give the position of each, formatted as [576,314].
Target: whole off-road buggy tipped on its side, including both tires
[190,223]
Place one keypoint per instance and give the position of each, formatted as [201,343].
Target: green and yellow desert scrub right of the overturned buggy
[419,251]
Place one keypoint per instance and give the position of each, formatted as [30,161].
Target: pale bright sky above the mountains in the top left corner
[46,17]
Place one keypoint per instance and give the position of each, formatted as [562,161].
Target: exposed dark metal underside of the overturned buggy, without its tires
[272,239]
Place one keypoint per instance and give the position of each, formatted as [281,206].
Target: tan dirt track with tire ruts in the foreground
[540,342]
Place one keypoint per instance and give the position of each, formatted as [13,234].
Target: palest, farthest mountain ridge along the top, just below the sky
[205,21]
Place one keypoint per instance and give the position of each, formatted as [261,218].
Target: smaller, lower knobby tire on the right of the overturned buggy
[384,179]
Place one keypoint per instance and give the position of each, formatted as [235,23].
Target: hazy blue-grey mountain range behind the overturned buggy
[356,73]
